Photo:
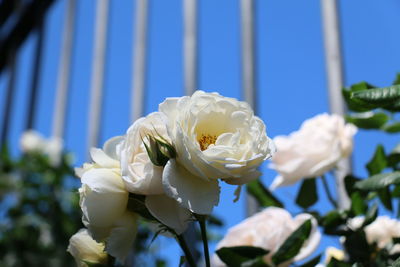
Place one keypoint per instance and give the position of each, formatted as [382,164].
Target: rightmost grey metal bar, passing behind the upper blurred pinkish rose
[334,68]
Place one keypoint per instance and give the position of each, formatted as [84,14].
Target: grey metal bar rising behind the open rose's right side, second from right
[249,73]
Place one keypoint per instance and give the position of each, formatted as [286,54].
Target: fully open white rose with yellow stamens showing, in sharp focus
[215,137]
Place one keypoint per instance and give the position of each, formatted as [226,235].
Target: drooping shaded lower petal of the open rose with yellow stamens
[192,192]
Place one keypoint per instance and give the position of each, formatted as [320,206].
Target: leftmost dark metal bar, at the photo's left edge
[9,99]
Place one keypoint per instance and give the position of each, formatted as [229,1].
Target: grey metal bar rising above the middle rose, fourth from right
[139,60]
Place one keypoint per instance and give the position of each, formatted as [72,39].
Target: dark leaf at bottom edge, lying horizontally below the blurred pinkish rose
[236,256]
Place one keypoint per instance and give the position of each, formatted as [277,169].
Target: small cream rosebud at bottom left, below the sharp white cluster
[84,249]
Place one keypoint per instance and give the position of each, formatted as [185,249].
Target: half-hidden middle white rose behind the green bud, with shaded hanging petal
[142,177]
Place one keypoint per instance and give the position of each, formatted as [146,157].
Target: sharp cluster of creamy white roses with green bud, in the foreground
[173,160]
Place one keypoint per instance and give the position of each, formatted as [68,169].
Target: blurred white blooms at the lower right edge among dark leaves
[381,231]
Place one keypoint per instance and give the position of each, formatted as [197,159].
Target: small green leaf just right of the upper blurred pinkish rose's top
[369,120]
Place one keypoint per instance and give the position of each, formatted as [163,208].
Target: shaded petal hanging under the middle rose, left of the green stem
[168,211]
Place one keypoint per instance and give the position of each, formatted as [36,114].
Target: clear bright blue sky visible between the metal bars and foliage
[290,61]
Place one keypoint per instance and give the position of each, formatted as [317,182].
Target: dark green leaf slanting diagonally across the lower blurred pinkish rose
[292,245]
